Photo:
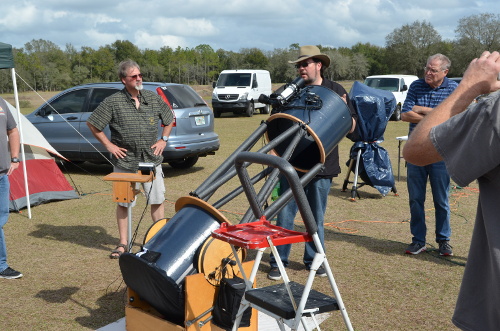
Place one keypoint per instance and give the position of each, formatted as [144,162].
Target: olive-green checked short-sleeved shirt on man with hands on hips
[135,129]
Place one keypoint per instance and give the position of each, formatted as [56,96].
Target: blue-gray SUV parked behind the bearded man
[62,121]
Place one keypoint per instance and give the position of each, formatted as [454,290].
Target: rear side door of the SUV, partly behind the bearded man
[90,147]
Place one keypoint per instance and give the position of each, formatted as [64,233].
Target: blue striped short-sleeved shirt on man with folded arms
[422,94]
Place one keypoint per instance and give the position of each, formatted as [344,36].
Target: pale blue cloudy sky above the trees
[230,25]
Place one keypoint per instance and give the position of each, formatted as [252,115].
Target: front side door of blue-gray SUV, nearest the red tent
[59,121]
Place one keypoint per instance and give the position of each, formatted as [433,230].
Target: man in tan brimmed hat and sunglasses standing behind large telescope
[310,66]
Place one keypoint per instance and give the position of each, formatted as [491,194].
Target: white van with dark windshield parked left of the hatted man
[238,91]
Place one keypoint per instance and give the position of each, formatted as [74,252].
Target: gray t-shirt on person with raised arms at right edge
[470,146]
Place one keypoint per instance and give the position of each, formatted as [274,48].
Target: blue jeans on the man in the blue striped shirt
[440,185]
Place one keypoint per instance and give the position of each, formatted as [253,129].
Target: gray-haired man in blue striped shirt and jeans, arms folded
[423,96]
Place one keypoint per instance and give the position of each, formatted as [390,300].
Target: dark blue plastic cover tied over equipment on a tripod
[374,108]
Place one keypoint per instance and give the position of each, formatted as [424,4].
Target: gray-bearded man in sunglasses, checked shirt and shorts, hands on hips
[132,115]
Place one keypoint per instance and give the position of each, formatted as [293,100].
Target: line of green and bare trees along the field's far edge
[44,66]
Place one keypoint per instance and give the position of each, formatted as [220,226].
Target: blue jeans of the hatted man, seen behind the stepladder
[317,195]
